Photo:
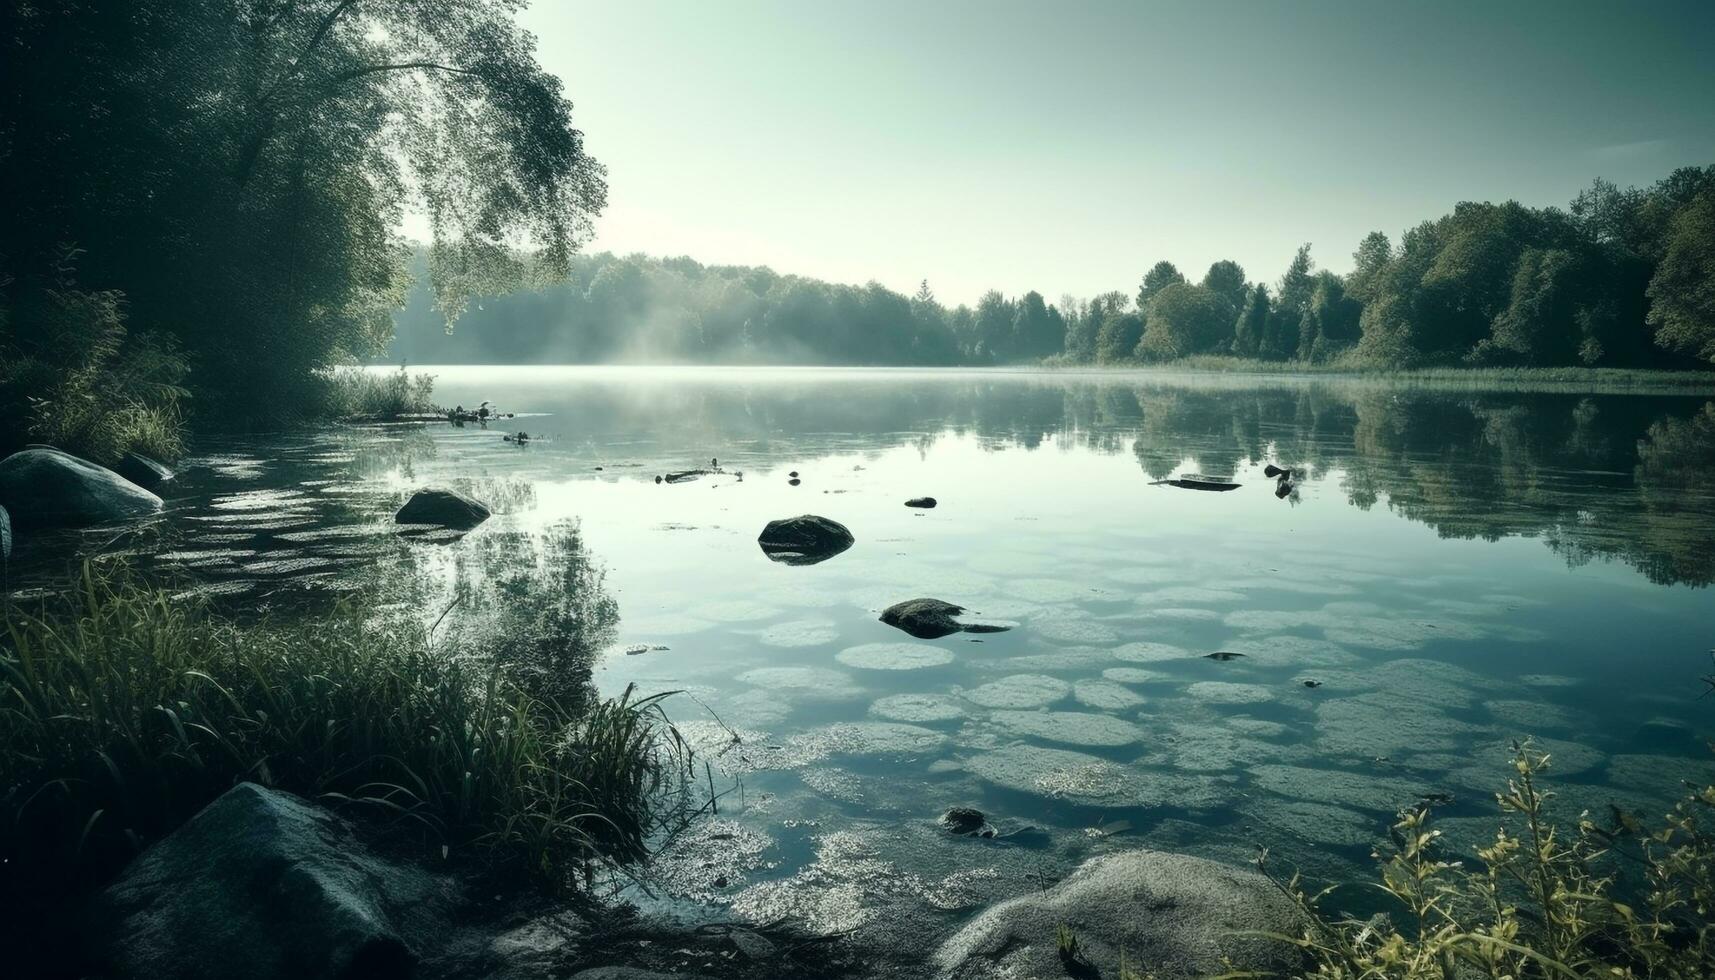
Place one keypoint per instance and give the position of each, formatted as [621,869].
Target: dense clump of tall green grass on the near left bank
[124,711]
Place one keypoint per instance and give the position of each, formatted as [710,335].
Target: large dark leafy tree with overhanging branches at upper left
[251,164]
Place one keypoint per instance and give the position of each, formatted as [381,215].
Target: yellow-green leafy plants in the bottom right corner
[1544,902]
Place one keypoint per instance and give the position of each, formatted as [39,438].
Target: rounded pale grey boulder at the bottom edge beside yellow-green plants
[1174,917]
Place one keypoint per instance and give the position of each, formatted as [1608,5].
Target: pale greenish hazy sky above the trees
[1069,147]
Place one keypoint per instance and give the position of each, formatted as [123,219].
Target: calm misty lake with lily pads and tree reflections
[1452,569]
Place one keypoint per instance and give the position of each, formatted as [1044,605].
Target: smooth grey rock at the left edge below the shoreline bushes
[47,488]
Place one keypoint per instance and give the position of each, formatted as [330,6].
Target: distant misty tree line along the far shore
[1623,277]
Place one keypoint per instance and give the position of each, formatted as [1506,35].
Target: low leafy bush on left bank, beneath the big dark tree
[75,377]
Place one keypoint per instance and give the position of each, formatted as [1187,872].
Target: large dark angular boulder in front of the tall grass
[265,885]
